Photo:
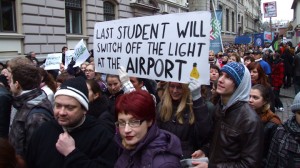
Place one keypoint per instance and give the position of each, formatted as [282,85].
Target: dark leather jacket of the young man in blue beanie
[238,137]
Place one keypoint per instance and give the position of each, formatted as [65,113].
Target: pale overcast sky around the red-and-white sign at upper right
[284,11]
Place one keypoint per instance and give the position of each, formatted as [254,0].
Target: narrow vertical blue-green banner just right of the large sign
[215,33]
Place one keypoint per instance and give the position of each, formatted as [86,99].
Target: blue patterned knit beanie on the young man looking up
[235,71]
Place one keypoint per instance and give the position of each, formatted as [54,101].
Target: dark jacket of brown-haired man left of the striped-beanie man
[26,121]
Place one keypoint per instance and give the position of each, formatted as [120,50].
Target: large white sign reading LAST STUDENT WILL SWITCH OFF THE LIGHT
[161,47]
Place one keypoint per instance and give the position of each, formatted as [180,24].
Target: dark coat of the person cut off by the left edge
[5,109]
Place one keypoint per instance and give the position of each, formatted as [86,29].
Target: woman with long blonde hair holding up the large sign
[184,113]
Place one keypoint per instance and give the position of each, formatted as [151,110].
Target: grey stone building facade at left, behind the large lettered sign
[45,26]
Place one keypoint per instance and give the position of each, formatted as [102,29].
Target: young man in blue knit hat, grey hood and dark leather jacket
[237,140]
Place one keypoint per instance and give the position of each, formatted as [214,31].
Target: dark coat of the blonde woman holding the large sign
[192,136]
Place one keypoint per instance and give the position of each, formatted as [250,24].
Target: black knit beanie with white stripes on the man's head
[75,88]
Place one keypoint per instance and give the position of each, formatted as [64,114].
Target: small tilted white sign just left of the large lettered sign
[79,54]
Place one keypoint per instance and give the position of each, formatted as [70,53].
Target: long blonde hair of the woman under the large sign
[166,110]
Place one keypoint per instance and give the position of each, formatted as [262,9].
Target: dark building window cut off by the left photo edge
[7,16]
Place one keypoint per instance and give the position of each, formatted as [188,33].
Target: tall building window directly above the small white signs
[73,16]
